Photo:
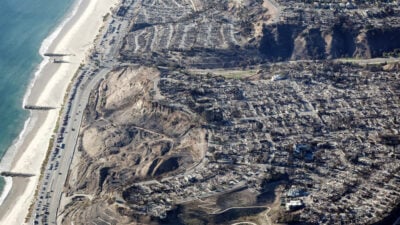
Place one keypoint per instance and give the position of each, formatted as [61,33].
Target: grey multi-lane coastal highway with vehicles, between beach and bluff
[51,186]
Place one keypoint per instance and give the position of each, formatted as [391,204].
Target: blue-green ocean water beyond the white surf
[24,24]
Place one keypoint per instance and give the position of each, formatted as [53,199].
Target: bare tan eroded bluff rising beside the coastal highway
[130,134]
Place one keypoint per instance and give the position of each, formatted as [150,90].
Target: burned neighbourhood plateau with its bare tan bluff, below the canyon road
[186,147]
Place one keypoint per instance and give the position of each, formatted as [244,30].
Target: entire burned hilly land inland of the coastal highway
[237,111]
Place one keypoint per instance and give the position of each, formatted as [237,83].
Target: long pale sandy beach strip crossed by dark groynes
[76,38]
